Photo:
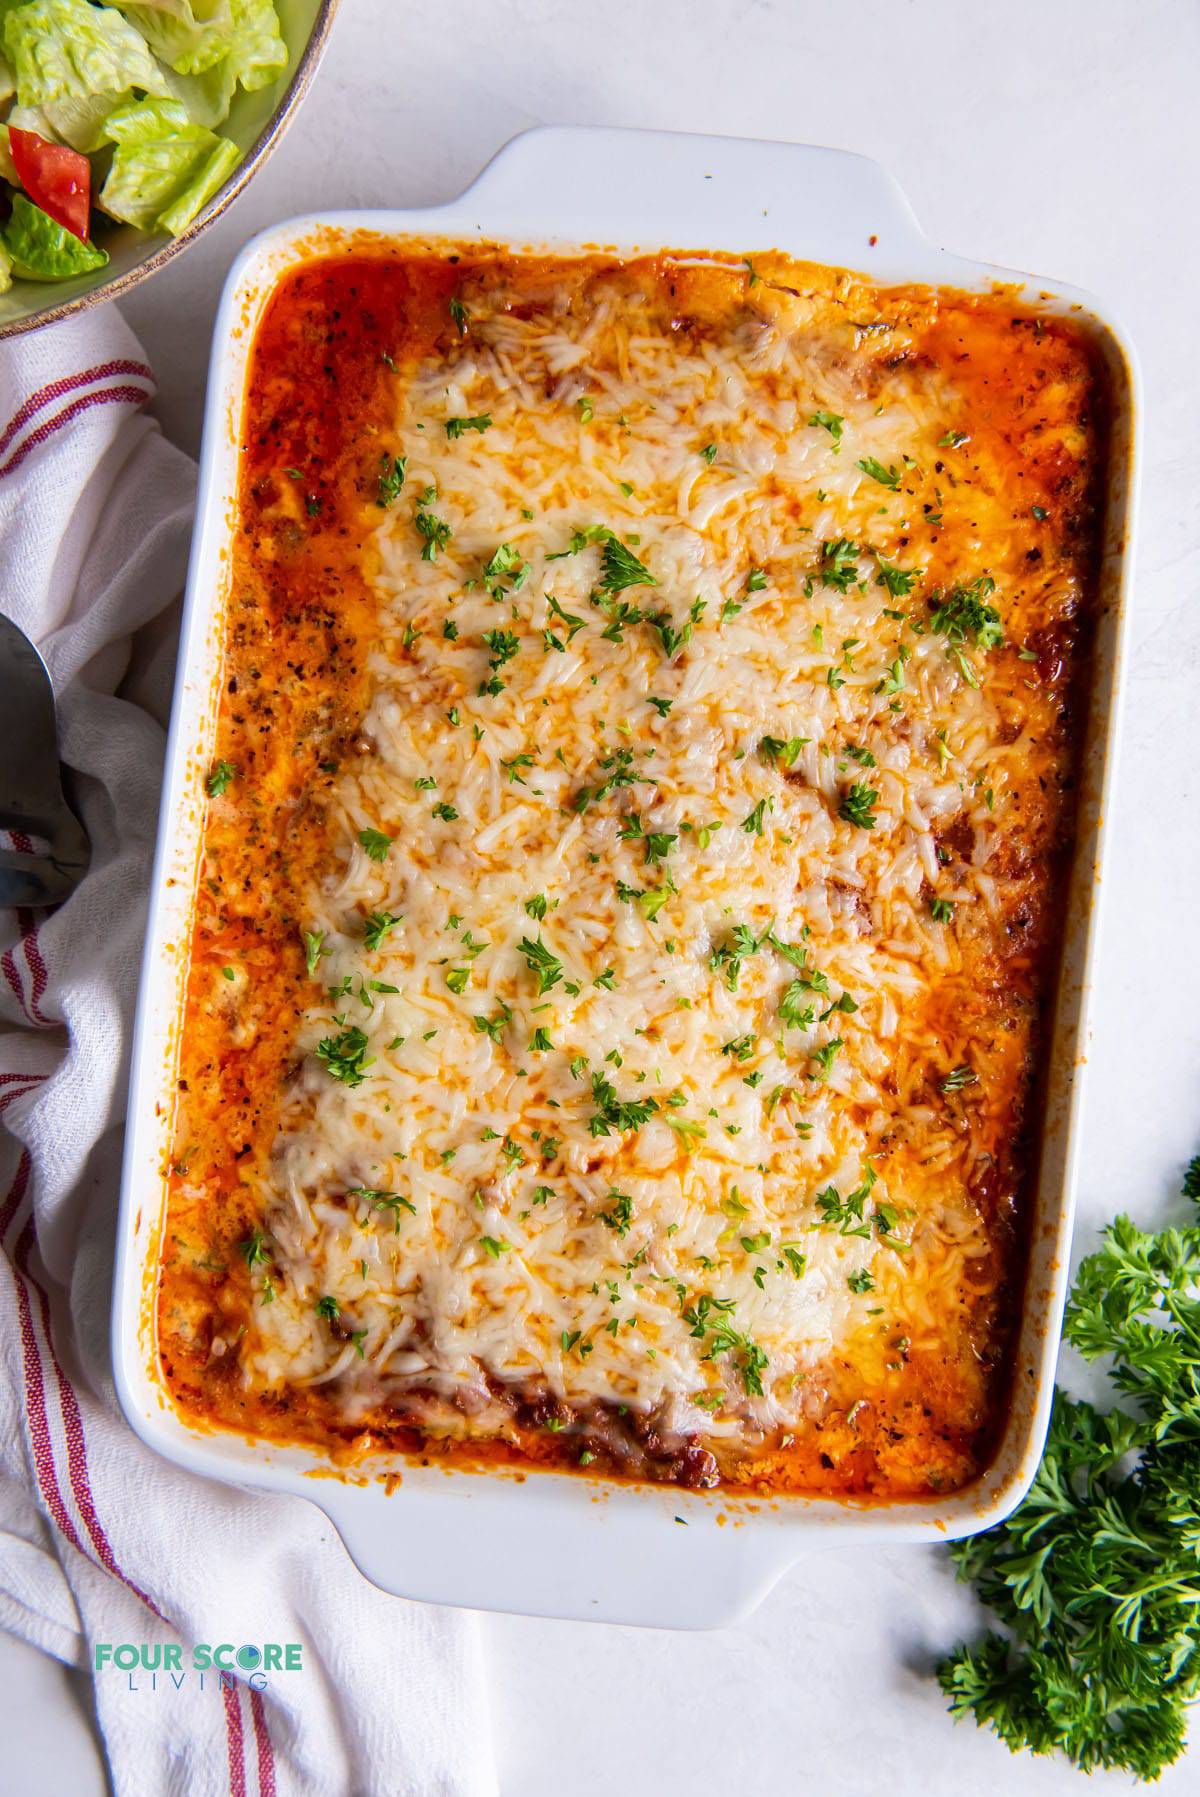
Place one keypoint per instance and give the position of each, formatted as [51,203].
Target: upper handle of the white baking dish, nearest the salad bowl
[622,188]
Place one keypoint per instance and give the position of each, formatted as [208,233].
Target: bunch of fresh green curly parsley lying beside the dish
[1097,1575]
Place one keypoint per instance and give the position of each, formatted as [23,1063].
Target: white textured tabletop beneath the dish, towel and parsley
[1048,137]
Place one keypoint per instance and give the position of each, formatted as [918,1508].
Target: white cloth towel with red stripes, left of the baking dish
[101,1543]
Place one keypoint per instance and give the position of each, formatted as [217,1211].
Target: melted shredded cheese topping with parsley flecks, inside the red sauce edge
[666,1020]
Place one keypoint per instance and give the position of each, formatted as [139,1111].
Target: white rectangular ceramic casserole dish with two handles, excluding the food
[554,1545]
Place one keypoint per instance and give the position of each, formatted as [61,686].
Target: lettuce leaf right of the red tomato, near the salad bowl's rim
[164,166]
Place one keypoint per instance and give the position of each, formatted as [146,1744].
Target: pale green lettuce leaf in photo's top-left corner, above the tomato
[67,49]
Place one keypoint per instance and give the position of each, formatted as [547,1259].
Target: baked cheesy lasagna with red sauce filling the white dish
[633,869]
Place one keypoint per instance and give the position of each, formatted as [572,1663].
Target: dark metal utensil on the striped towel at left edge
[31,788]
